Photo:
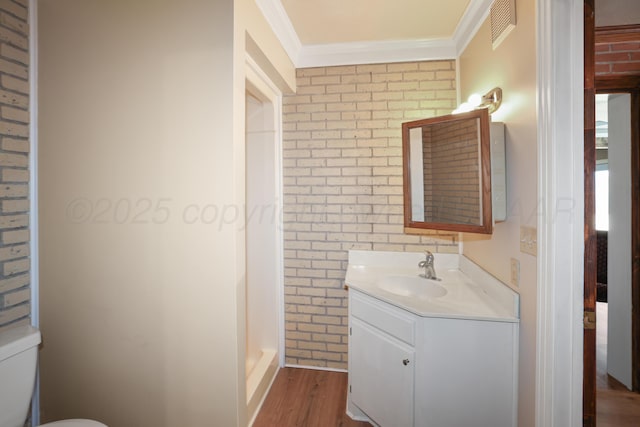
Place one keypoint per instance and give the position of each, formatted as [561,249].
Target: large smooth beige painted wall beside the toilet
[141,154]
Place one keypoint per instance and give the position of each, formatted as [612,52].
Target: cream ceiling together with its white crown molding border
[342,32]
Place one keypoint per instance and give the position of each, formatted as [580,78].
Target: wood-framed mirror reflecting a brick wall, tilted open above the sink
[447,173]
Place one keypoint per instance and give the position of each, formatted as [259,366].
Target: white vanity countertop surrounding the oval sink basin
[472,293]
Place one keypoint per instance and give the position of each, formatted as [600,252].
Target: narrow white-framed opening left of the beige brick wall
[263,231]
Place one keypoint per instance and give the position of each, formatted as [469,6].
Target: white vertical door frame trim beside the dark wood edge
[559,332]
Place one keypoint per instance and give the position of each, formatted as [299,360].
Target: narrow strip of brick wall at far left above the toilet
[15,292]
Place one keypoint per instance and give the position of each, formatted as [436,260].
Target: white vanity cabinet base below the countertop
[411,370]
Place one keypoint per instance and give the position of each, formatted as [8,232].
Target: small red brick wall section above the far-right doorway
[618,58]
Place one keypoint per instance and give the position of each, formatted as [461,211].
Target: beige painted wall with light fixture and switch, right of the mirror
[512,66]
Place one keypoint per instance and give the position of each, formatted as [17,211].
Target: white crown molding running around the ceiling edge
[321,55]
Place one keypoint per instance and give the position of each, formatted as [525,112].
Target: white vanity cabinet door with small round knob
[381,375]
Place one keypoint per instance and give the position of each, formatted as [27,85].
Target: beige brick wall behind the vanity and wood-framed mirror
[343,188]
